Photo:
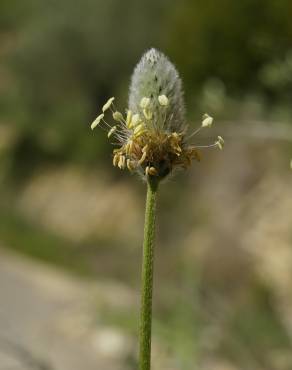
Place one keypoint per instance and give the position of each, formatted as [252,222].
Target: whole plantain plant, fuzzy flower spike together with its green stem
[153,140]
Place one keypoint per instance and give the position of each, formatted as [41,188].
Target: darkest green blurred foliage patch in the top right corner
[231,41]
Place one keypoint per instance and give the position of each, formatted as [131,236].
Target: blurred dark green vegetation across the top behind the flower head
[61,59]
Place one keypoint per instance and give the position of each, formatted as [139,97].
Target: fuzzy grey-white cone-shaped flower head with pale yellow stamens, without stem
[151,136]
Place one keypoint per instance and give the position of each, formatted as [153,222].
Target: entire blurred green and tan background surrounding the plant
[71,225]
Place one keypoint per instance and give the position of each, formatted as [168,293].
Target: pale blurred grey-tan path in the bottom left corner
[48,321]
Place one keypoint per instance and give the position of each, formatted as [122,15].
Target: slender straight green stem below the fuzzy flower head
[147,277]
